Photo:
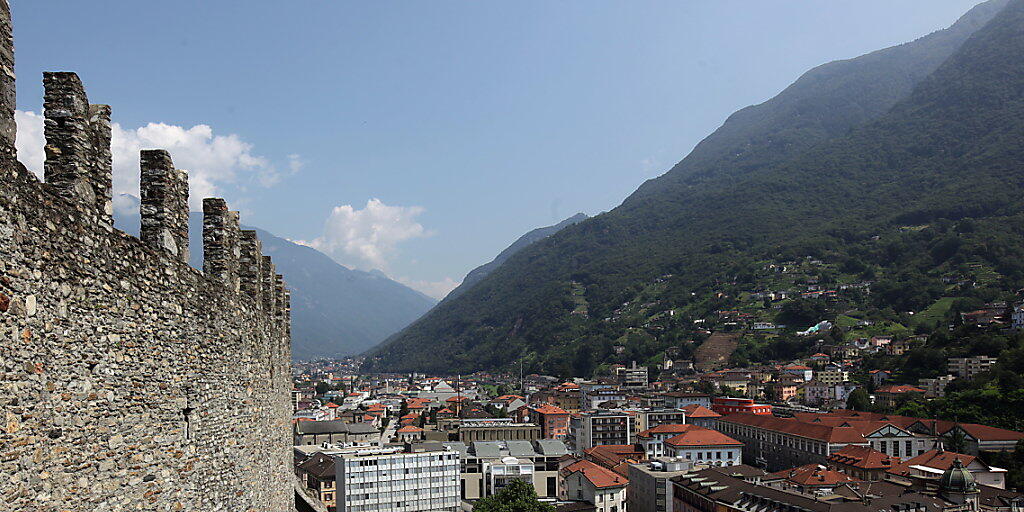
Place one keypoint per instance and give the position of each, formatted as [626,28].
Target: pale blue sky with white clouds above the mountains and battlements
[423,138]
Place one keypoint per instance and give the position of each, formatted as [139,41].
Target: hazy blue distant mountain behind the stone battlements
[336,311]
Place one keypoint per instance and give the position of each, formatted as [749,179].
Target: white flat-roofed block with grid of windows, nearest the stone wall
[371,481]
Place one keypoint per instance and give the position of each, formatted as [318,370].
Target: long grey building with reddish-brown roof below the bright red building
[784,443]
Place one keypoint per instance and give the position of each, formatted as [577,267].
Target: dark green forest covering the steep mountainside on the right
[898,174]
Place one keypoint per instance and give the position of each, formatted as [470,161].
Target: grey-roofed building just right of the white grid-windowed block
[489,466]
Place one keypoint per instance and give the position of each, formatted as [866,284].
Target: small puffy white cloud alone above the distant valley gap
[367,239]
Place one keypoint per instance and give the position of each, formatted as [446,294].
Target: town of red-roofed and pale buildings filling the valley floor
[825,433]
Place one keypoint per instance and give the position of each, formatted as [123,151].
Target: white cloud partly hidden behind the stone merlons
[212,161]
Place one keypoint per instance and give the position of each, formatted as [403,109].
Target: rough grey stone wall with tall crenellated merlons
[129,380]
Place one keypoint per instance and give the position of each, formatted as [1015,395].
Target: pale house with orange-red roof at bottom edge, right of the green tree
[590,483]
